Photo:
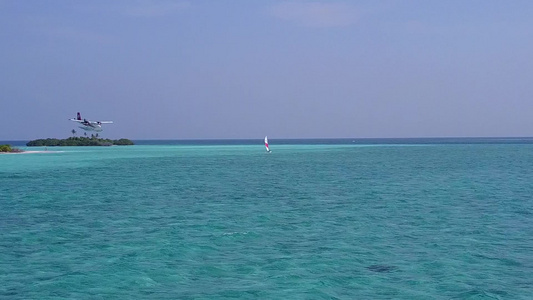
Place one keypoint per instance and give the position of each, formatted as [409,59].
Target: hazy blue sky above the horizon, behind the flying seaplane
[286,69]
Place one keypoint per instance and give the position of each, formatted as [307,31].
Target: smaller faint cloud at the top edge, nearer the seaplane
[154,8]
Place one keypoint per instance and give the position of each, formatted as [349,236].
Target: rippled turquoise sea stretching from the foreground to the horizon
[314,219]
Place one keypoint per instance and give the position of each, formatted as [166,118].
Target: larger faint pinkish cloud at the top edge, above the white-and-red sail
[316,14]
